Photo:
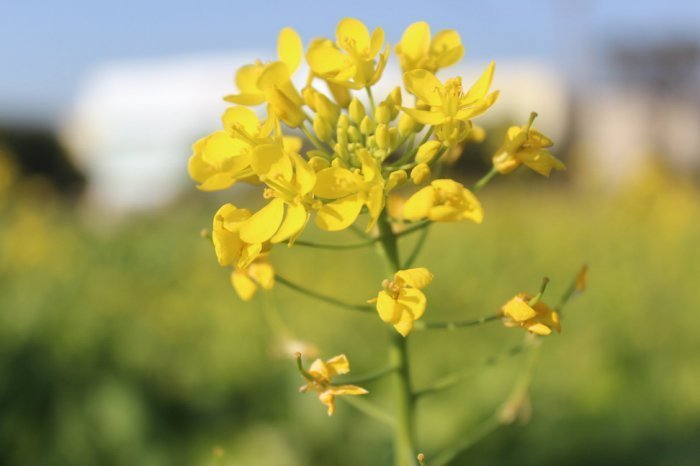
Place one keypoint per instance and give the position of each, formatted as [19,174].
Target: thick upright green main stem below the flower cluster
[404,432]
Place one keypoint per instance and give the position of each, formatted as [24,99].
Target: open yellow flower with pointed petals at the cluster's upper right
[447,103]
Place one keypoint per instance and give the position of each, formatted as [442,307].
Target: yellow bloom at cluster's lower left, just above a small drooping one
[230,248]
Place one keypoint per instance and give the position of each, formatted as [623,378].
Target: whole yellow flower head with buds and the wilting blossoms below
[356,151]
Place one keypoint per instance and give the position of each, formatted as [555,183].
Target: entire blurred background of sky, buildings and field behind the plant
[122,342]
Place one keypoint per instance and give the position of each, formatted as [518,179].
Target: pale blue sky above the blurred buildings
[48,47]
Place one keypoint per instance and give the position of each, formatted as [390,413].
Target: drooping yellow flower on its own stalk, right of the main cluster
[524,145]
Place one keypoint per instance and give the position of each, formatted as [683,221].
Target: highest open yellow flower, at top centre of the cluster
[351,61]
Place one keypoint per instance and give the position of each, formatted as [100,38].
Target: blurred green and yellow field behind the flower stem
[126,345]
